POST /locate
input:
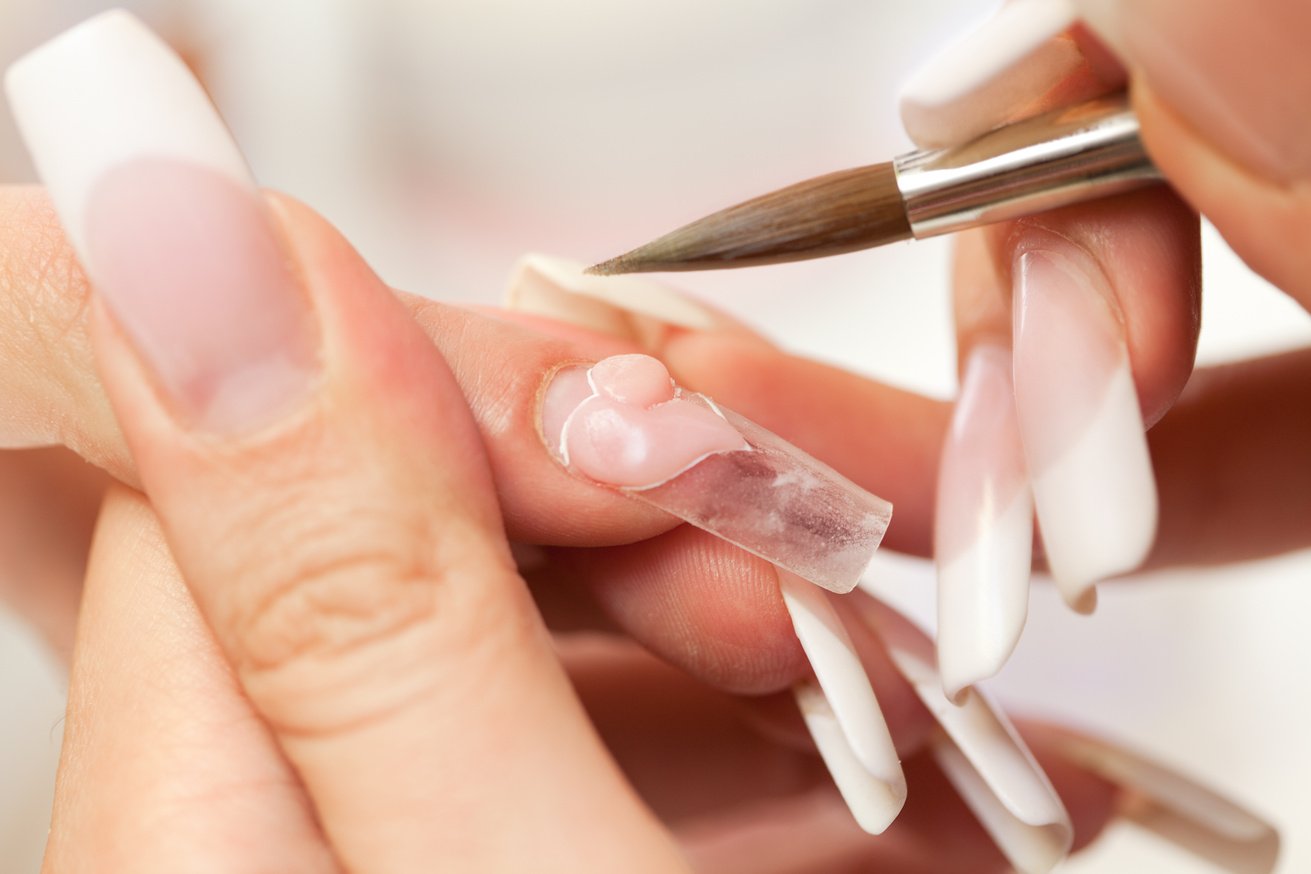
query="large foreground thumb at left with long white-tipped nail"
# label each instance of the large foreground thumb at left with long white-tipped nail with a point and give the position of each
(376, 620)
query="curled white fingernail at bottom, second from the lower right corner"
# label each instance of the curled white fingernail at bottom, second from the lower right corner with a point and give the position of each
(981, 754)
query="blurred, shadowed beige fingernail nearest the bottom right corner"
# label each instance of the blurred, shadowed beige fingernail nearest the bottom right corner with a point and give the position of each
(1178, 808)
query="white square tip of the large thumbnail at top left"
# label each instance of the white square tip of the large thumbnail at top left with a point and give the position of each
(113, 83)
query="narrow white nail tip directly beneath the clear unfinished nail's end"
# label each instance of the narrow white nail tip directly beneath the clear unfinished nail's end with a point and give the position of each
(842, 677)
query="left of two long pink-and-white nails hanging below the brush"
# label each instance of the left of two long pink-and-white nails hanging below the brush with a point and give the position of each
(984, 527)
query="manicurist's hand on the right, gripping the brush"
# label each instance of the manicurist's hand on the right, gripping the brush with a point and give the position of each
(1077, 330)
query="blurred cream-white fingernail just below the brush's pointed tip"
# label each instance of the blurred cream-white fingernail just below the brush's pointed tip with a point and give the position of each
(626, 307)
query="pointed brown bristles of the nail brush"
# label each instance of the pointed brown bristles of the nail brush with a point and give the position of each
(823, 217)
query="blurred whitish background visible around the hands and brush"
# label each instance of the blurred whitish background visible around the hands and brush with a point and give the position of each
(449, 137)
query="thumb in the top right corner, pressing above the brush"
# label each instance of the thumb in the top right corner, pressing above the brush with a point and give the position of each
(1223, 91)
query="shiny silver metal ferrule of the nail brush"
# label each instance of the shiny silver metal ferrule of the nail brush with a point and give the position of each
(1072, 155)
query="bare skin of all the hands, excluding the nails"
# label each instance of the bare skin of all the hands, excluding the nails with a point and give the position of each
(241, 744)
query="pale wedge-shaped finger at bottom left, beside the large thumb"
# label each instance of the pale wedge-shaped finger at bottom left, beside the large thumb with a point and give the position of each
(165, 766)
